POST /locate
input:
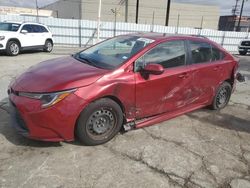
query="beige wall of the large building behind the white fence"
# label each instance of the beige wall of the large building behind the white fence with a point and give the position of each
(190, 14)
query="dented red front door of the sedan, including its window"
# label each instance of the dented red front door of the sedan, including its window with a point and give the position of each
(169, 91)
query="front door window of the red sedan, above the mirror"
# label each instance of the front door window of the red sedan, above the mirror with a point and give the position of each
(168, 54)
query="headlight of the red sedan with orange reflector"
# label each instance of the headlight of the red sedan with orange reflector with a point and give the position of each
(48, 99)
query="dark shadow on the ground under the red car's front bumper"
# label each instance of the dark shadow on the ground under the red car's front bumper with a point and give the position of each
(11, 134)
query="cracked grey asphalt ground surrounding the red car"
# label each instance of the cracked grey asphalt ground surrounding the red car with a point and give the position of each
(201, 149)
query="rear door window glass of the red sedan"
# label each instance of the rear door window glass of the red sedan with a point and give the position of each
(201, 52)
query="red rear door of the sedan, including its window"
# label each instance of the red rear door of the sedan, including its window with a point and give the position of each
(207, 70)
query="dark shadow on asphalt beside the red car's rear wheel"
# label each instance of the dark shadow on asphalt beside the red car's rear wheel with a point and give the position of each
(223, 120)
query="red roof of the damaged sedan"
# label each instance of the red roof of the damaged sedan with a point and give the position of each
(160, 36)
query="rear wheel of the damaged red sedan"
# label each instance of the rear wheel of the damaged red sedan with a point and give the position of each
(222, 96)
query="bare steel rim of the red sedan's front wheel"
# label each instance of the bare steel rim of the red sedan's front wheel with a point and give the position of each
(101, 123)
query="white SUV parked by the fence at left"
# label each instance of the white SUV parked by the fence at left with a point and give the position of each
(17, 36)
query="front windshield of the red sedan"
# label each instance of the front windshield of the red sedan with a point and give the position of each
(113, 52)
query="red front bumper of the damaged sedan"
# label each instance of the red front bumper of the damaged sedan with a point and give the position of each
(56, 123)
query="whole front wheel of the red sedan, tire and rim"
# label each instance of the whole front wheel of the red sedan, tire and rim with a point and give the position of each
(99, 122)
